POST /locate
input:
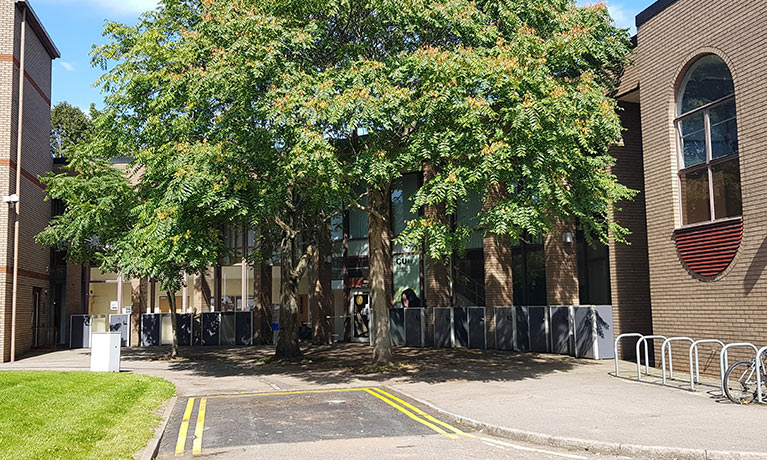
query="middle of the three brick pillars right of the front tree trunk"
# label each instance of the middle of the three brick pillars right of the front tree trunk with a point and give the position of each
(499, 288)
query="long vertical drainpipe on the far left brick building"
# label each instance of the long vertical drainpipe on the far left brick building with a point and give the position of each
(18, 184)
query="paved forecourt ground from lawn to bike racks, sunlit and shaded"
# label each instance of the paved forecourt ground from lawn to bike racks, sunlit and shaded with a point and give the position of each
(564, 405)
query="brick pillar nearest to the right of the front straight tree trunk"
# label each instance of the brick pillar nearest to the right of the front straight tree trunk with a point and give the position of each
(437, 273)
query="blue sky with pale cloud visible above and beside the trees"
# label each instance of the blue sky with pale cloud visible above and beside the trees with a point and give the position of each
(76, 25)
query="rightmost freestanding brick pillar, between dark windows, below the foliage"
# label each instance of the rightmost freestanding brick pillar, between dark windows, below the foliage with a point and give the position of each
(561, 266)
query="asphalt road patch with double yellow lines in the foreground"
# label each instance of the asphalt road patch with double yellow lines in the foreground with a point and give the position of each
(370, 423)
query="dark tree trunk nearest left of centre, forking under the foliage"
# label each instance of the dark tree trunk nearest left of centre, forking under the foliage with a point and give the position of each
(287, 341)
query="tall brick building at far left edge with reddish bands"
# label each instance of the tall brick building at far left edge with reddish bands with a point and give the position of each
(24, 44)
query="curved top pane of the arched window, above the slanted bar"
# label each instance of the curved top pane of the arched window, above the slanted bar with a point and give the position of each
(708, 80)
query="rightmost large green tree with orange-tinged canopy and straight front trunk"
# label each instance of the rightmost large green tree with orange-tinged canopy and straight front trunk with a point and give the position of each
(506, 98)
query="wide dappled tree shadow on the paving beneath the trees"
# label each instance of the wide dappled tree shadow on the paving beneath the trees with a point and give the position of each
(343, 363)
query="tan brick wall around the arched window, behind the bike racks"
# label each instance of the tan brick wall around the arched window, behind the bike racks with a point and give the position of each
(733, 306)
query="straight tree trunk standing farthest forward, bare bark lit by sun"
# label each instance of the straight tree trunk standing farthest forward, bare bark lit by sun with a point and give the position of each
(381, 288)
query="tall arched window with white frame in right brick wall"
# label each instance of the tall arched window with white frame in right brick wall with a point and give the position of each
(707, 133)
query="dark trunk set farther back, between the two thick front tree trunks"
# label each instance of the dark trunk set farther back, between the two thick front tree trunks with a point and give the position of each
(322, 299)
